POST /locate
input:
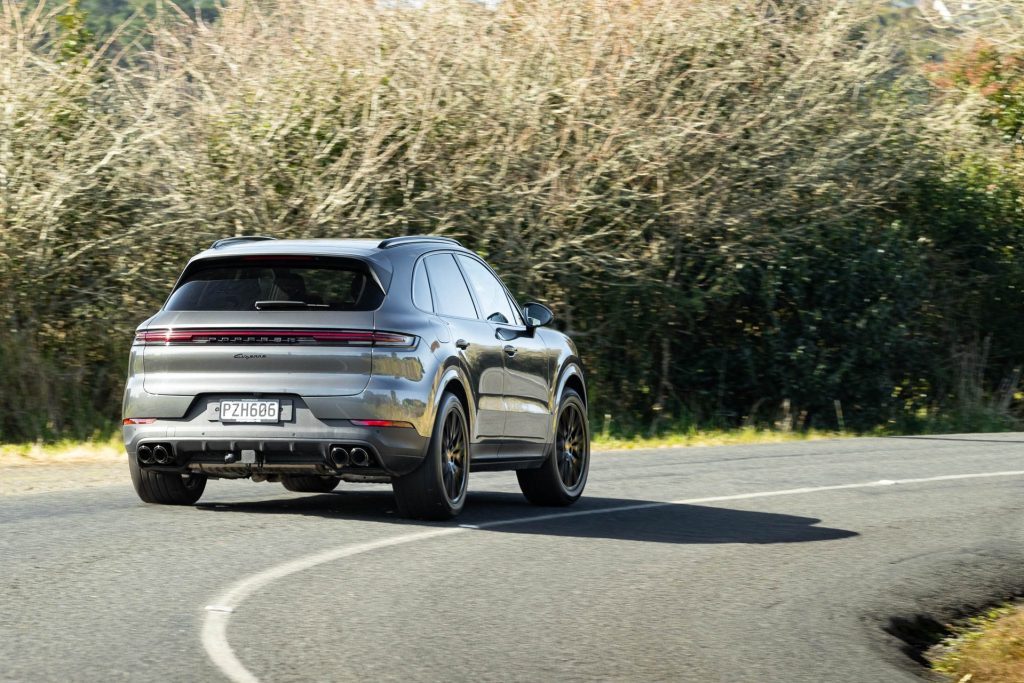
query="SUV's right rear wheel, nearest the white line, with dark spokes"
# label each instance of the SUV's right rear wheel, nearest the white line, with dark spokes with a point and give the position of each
(437, 490)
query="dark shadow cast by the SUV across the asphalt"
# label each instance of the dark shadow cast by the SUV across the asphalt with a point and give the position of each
(619, 520)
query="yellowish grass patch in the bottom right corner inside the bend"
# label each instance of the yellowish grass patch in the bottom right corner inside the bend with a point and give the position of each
(989, 649)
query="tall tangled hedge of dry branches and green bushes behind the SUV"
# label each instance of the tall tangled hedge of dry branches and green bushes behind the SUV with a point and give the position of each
(792, 217)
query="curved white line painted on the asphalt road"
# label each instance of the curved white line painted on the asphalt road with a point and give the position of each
(218, 615)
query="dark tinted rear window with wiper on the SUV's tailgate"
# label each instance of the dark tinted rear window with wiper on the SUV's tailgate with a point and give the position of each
(266, 284)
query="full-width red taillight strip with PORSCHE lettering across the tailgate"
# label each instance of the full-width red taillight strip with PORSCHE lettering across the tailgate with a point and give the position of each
(348, 337)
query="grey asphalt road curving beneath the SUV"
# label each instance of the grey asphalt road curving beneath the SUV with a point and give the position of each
(808, 585)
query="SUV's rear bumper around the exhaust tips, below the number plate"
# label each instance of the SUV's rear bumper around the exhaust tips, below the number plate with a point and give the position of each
(298, 445)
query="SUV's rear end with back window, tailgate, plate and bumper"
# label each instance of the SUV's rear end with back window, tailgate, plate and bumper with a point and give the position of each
(270, 360)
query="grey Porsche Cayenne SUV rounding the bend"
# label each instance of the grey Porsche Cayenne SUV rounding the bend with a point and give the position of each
(404, 361)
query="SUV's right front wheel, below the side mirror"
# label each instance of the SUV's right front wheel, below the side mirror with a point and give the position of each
(561, 481)
